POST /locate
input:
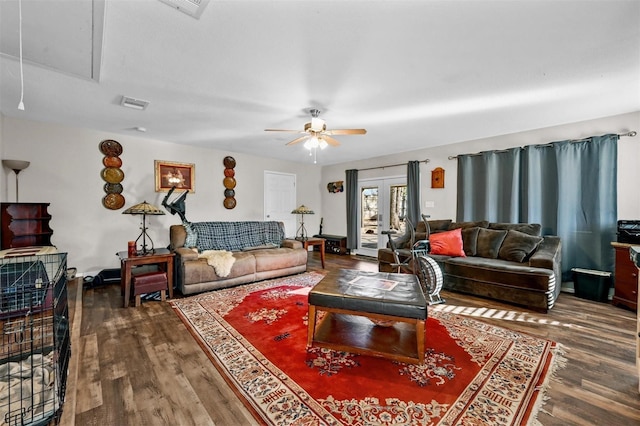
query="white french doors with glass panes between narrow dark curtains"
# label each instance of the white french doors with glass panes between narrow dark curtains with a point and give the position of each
(382, 204)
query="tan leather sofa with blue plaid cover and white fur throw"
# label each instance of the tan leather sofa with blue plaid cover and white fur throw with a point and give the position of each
(256, 259)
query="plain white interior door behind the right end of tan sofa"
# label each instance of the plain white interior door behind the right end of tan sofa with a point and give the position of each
(280, 200)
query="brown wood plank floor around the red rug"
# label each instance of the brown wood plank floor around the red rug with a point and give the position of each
(140, 366)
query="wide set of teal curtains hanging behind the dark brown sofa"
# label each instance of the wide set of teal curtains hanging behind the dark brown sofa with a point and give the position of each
(568, 187)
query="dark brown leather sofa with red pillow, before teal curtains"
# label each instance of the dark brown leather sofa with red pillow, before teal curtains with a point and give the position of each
(533, 281)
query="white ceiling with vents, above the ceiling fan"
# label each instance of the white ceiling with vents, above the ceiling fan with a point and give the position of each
(415, 74)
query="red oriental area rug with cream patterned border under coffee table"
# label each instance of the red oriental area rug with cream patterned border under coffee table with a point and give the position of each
(474, 373)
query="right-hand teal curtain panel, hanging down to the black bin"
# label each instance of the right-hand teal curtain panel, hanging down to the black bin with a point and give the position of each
(570, 188)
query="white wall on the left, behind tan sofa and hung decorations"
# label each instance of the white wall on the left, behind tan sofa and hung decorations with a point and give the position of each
(65, 171)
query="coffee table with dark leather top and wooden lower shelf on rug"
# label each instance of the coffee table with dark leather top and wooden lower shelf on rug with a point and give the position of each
(373, 313)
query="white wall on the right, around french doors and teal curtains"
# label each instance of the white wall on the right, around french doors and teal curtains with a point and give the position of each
(334, 205)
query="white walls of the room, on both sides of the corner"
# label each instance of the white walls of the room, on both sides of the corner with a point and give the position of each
(66, 164)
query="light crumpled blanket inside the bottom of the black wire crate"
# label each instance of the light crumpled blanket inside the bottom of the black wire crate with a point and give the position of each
(27, 385)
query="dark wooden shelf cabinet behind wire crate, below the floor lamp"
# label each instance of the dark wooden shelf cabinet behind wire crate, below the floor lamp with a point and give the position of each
(25, 224)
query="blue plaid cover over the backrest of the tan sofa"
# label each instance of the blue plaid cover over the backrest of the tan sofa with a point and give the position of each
(234, 236)
